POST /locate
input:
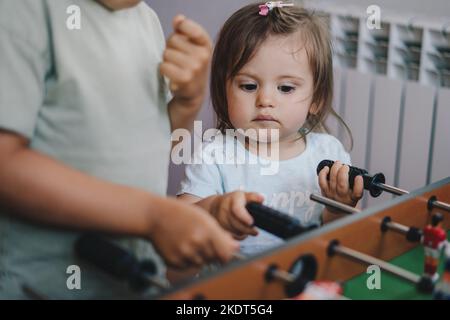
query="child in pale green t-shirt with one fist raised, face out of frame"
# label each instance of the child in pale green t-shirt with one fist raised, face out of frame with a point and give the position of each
(85, 139)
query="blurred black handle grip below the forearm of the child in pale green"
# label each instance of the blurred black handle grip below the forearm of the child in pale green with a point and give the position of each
(115, 260)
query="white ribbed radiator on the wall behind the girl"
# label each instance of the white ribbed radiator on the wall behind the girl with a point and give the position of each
(392, 89)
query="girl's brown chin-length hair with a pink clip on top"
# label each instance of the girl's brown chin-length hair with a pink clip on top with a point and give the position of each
(246, 30)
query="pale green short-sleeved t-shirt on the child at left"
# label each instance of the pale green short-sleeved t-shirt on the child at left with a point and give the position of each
(92, 99)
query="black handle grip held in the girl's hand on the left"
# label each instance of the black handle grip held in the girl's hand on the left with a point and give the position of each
(276, 222)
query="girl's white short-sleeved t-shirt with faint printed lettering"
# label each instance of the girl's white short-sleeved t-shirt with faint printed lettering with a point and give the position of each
(287, 188)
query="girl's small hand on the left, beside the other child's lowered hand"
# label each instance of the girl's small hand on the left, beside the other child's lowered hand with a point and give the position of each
(229, 210)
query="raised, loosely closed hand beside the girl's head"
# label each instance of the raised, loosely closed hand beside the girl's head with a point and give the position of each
(186, 59)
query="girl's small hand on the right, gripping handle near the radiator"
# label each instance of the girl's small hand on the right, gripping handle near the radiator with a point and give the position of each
(337, 187)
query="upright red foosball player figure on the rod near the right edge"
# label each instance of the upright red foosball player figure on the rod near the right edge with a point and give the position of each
(434, 238)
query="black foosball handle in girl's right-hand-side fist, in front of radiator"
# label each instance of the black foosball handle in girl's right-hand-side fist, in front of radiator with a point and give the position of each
(370, 182)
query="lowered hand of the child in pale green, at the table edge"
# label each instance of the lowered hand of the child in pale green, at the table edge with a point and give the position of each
(187, 236)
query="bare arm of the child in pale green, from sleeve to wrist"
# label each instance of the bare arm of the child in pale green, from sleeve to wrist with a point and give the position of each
(38, 187)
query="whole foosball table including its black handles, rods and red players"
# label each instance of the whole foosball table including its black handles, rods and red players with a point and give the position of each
(377, 253)
